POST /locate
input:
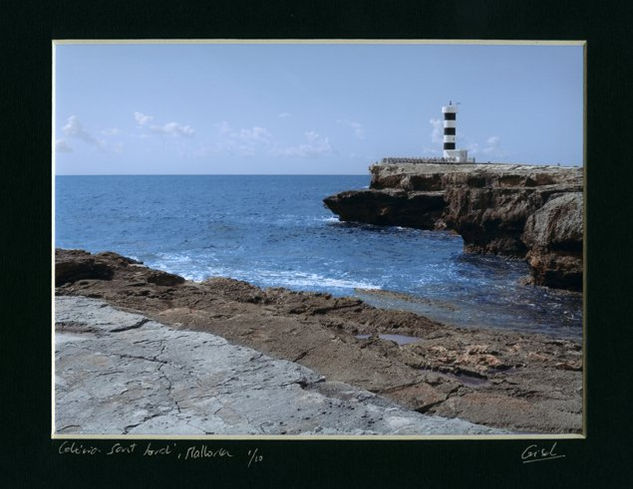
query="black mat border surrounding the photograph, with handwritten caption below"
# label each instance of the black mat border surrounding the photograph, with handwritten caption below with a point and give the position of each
(29, 457)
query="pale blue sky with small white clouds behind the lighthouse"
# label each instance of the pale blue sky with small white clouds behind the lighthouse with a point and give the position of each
(309, 108)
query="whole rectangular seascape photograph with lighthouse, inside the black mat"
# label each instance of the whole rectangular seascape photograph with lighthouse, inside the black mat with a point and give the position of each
(318, 239)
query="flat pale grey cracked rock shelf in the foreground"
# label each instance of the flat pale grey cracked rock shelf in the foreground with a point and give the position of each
(121, 373)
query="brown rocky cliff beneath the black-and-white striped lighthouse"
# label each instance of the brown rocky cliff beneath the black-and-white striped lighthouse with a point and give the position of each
(527, 211)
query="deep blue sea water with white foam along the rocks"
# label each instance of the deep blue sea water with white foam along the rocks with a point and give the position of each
(275, 231)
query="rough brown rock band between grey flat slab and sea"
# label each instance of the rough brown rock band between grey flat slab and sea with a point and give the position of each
(514, 381)
